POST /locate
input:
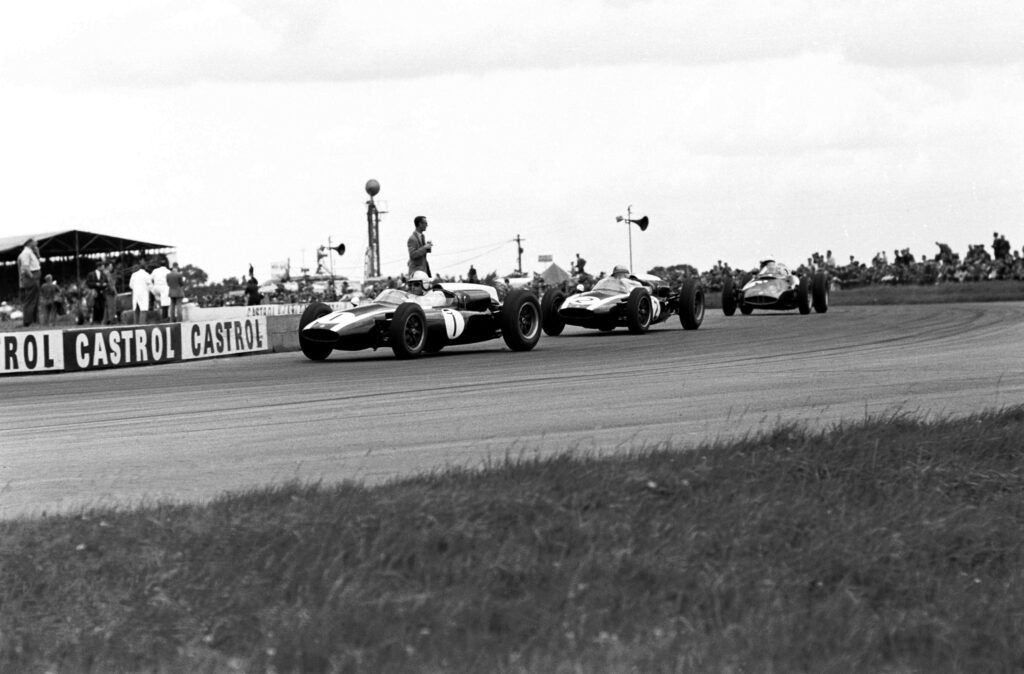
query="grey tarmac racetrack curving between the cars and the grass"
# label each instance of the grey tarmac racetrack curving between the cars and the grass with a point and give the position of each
(193, 431)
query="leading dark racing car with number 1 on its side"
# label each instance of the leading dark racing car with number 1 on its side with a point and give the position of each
(412, 324)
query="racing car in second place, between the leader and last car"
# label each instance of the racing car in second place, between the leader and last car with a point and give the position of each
(636, 302)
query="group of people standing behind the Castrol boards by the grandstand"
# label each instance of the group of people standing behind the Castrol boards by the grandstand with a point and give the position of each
(44, 301)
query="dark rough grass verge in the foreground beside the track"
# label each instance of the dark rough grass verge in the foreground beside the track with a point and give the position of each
(890, 545)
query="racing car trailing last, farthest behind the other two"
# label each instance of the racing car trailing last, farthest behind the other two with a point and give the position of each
(775, 287)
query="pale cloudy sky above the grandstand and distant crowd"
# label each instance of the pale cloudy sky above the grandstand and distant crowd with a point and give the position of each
(244, 132)
